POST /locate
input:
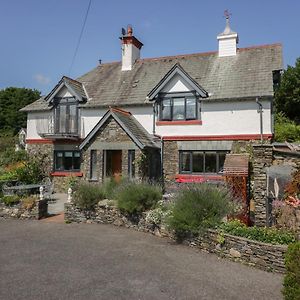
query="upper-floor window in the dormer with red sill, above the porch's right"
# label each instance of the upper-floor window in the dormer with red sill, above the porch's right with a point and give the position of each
(178, 109)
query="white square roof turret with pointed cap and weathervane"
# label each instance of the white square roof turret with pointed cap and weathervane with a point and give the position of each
(228, 40)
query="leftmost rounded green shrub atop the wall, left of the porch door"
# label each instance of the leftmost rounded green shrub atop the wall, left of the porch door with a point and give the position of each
(87, 195)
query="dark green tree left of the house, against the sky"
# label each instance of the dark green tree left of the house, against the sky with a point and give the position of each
(12, 99)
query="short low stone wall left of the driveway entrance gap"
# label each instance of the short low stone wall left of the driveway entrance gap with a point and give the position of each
(19, 211)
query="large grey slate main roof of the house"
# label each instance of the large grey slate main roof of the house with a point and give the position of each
(246, 75)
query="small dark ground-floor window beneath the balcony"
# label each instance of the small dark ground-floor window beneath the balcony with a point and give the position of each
(67, 160)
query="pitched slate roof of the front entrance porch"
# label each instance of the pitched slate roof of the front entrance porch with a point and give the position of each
(129, 124)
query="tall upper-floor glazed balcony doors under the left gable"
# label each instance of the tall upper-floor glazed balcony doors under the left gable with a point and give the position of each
(66, 114)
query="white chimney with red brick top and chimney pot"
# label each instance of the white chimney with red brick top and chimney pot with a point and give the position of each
(131, 48)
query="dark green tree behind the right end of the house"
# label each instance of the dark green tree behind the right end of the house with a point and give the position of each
(287, 95)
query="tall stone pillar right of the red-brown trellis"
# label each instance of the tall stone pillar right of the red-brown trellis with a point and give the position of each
(262, 158)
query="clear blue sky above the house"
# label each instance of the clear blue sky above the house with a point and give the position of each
(38, 37)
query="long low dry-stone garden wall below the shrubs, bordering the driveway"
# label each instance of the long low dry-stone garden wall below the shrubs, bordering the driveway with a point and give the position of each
(264, 256)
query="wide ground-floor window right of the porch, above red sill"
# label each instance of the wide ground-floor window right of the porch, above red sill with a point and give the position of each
(201, 161)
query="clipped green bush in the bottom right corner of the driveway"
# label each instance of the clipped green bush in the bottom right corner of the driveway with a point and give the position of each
(291, 284)
